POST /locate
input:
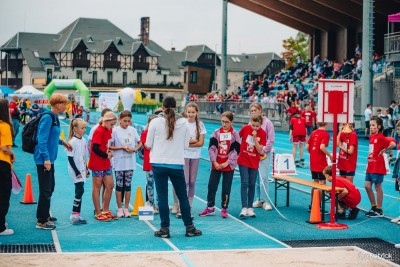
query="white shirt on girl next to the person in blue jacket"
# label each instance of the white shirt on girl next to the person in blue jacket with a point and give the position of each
(79, 153)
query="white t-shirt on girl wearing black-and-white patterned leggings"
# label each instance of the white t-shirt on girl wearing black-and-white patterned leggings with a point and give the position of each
(122, 160)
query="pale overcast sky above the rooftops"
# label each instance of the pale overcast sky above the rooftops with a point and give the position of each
(173, 23)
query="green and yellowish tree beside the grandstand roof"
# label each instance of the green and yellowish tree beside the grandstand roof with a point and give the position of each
(295, 47)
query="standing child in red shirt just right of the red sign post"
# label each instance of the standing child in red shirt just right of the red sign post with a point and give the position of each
(348, 144)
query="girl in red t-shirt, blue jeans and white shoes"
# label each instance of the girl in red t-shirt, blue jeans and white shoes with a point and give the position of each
(254, 138)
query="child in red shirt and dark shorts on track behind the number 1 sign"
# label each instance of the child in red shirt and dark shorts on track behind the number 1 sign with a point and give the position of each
(297, 135)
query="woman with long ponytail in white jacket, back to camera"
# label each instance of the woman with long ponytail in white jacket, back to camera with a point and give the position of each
(167, 137)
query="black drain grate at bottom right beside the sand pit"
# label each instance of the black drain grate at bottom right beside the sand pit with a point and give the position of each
(377, 247)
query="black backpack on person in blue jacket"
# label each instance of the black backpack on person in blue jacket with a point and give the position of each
(29, 133)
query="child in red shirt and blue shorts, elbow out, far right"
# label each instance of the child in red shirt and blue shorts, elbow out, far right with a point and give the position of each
(376, 168)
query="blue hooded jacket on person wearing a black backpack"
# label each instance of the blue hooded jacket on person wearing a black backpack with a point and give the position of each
(48, 139)
